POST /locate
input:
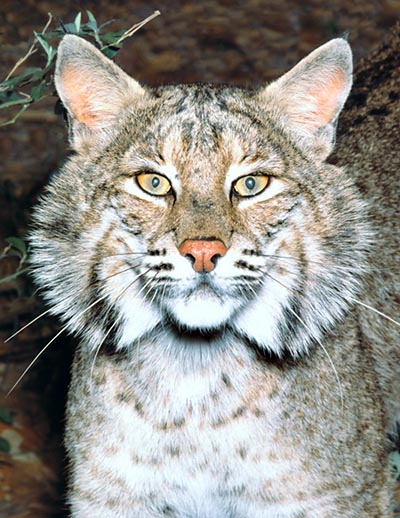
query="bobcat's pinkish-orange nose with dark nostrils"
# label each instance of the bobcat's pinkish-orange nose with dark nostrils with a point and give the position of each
(203, 253)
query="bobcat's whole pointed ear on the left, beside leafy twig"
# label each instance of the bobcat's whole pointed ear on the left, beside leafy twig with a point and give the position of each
(93, 89)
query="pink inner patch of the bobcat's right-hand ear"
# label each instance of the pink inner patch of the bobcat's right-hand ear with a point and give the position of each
(326, 99)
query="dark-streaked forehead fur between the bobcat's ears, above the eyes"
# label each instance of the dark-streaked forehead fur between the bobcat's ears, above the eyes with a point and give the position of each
(205, 123)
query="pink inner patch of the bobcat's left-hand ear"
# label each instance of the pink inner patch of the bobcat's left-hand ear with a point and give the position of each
(80, 92)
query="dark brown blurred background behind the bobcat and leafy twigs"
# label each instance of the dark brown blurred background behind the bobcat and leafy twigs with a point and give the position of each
(244, 43)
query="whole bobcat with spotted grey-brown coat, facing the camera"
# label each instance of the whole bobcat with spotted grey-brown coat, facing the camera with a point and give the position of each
(219, 273)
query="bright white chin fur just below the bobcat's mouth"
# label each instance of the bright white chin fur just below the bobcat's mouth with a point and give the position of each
(201, 312)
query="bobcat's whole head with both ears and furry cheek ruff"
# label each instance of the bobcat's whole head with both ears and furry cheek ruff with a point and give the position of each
(201, 209)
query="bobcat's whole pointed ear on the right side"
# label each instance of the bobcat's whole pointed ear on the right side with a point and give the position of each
(309, 98)
